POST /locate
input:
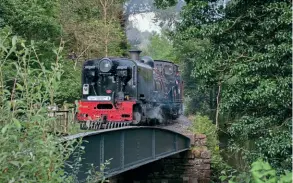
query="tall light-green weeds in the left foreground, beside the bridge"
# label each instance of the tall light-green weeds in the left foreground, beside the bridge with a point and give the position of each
(30, 150)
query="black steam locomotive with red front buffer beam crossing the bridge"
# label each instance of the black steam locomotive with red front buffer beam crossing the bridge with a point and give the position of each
(119, 92)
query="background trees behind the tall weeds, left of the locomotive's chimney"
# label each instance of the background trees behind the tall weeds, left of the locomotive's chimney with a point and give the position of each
(86, 27)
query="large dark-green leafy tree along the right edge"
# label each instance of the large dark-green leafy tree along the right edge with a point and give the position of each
(258, 89)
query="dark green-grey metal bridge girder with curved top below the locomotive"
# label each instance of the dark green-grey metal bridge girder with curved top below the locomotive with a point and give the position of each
(128, 148)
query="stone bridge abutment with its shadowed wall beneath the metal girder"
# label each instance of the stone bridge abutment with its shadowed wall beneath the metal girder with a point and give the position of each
(192, 166)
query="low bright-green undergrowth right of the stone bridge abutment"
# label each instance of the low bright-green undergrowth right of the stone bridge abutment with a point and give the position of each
(259, 171)
